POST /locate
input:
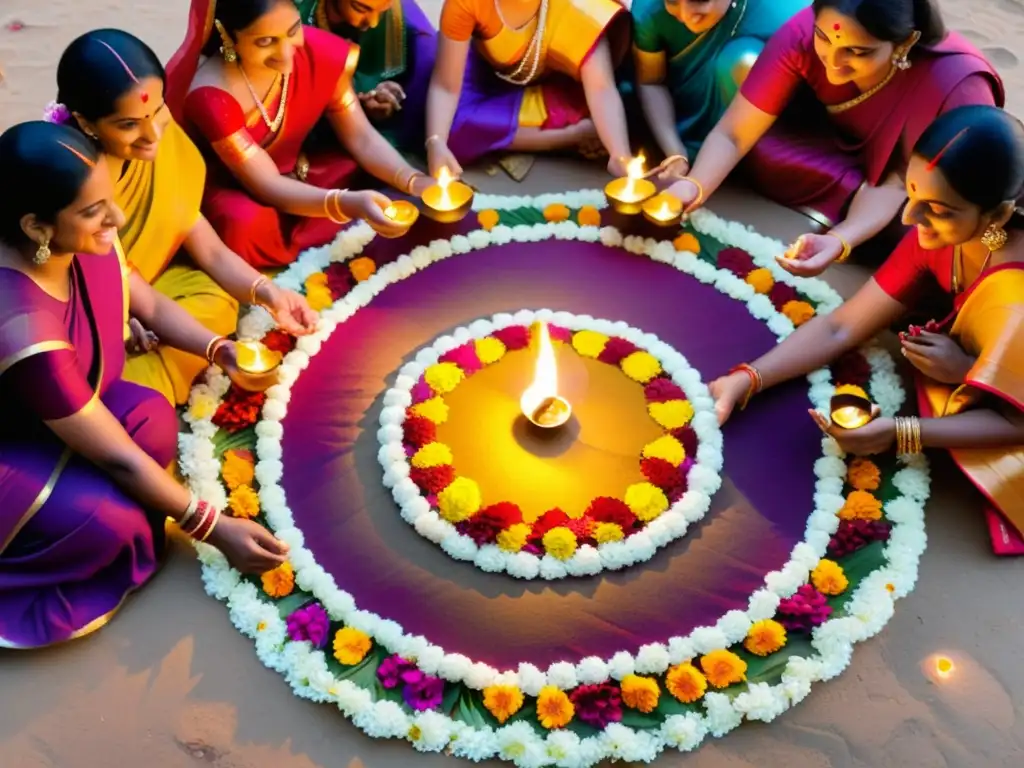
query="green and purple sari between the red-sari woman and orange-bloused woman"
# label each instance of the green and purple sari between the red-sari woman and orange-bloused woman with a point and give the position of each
(401, 49)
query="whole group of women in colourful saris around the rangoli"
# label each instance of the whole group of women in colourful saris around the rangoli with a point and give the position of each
(138, 217)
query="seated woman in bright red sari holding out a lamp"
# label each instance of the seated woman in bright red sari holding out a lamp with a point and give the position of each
(253, 106)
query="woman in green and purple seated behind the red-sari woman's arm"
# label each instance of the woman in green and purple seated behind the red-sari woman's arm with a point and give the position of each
(398, 47)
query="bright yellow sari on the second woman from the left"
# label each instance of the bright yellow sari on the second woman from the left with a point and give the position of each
(161, 201)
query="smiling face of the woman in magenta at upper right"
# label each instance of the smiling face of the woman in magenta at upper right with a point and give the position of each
(848, 52)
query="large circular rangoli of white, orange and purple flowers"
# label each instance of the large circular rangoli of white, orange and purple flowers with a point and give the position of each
(801, 554)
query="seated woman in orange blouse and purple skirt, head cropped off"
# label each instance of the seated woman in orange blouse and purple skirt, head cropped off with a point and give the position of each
(540, 77)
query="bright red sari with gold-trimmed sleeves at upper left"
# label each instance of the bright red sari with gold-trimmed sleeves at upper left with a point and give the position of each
(321, 82)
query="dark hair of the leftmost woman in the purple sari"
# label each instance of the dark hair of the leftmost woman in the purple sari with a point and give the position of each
(42, 177)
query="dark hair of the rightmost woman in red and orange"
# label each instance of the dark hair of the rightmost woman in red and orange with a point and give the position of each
(980, 151)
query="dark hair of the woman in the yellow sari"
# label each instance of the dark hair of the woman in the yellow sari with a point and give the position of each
(100, 68)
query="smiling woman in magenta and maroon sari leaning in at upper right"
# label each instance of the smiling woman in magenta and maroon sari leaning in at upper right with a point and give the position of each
(881, 71)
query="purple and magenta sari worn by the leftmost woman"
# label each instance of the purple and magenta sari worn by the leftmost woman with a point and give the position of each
(73, 546)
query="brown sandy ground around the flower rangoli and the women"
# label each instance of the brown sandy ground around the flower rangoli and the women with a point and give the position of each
(172, 685)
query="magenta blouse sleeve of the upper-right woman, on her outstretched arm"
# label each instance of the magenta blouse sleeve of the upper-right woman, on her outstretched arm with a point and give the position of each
(779, 72)
